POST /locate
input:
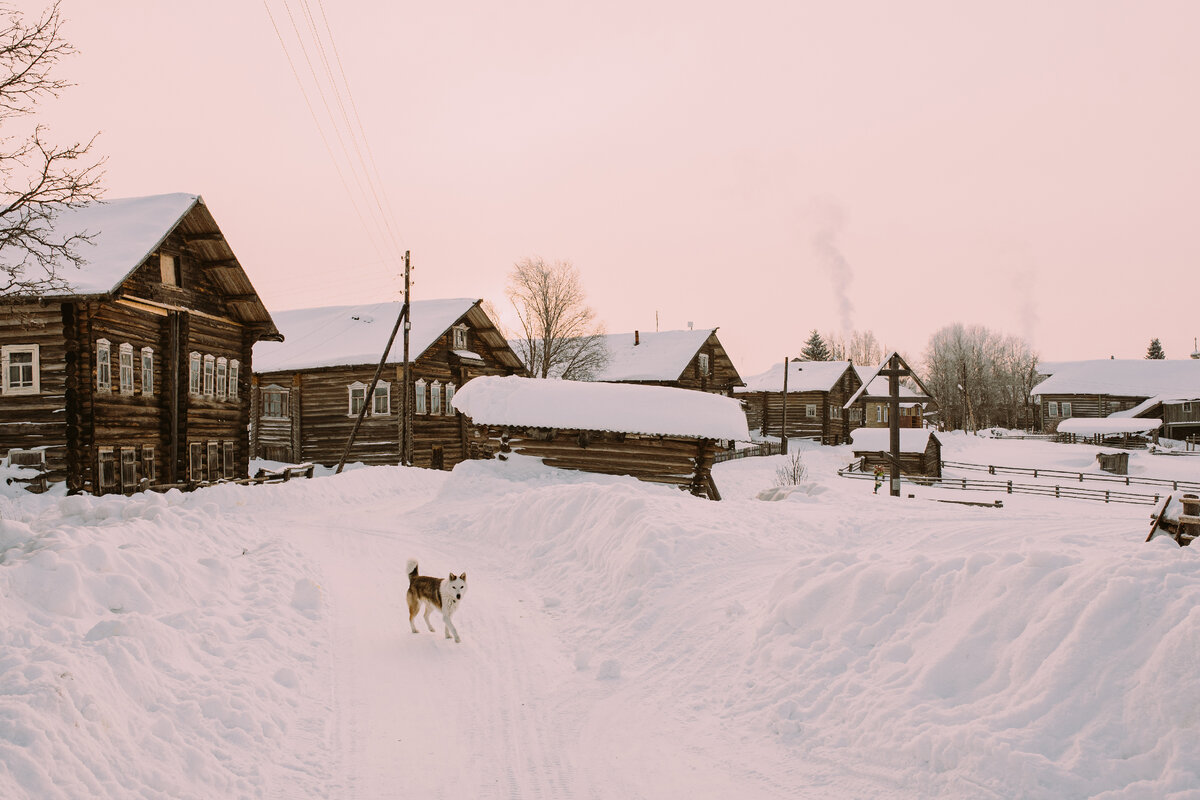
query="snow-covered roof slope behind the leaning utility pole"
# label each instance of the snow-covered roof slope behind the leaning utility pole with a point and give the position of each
(334, 336)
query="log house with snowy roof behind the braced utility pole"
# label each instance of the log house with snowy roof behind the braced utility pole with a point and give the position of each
(308, 390)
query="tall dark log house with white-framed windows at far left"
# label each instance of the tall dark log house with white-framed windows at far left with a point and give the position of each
(136, 375)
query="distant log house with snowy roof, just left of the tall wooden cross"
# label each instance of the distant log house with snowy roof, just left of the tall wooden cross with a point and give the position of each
(817, 393)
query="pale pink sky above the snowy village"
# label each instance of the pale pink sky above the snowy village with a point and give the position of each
(1027, 166)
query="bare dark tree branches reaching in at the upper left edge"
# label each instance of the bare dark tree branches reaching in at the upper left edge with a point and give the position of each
(40, 179)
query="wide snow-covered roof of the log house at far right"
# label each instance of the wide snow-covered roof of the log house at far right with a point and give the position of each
(1124, 378)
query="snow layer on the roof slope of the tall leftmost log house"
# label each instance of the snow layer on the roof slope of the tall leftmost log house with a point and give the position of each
(124, 232)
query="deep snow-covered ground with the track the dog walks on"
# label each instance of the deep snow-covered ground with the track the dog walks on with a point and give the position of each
(620, 640)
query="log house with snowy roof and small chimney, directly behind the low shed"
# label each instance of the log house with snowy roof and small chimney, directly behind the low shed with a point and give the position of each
(692, 359)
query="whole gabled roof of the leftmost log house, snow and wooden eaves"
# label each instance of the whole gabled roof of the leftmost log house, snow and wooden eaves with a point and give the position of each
(125, 232)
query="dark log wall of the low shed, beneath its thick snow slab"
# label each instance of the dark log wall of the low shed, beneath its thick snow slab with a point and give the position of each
(681, 462)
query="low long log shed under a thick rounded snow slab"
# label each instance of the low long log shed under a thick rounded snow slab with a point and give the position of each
(662, 435)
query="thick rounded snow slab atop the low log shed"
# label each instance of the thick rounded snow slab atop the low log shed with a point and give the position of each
(595, 406)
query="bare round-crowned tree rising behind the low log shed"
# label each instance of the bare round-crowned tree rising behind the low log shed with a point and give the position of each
(560, 335)
